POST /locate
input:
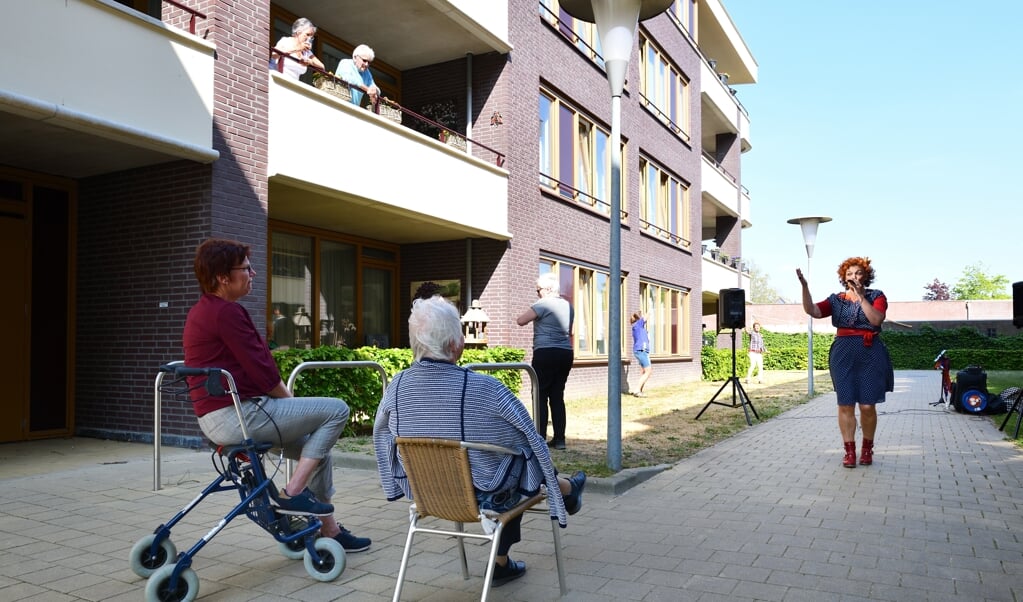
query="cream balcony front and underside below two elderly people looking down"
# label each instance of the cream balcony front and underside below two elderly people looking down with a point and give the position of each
(336, 166)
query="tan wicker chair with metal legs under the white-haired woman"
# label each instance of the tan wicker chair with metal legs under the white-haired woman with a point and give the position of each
(442, 488)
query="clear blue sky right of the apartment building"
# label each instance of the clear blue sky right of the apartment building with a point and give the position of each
(903, 120)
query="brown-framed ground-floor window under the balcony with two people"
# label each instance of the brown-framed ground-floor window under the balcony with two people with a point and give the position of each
(354, 284)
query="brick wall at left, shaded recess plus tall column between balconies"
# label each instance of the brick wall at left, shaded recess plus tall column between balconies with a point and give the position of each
(125, 274)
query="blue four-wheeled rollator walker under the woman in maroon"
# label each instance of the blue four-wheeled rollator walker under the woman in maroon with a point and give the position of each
(241, 468)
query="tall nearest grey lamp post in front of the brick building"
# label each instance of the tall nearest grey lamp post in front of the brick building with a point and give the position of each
(616, 25)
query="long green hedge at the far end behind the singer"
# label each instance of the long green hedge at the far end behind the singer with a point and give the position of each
(910, 351)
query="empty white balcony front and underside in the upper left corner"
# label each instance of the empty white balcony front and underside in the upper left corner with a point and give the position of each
(94, 96)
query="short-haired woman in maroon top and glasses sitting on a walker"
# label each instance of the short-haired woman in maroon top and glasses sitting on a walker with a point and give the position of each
(219, 333)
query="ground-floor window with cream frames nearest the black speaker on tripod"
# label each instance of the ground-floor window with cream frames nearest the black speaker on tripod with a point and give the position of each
(668, 315)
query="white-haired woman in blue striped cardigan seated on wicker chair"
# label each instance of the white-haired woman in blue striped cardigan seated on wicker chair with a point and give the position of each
(437, 399)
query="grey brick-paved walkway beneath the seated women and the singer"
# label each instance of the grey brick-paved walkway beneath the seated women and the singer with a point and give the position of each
(770, 514)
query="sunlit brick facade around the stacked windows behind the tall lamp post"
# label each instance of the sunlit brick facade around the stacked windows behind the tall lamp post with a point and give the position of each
(547, 226)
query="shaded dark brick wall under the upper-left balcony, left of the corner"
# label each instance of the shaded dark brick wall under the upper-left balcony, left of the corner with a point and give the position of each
(124, 277)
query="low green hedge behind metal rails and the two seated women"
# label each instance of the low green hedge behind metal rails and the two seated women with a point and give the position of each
(361, 389)
